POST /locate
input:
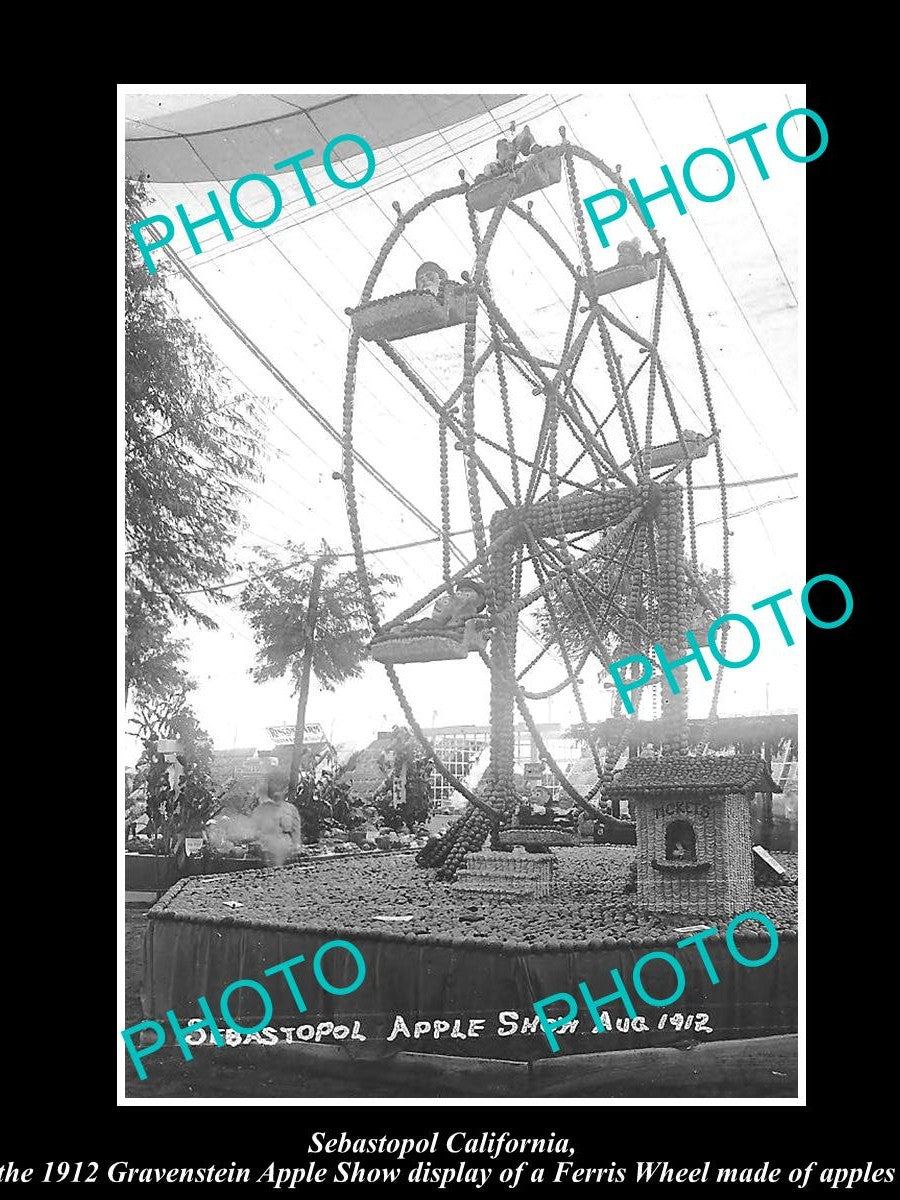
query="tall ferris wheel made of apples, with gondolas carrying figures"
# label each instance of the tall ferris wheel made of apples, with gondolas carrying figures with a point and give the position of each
(578, 461)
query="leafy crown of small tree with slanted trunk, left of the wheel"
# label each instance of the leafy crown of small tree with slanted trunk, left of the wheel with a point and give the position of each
(275, 603)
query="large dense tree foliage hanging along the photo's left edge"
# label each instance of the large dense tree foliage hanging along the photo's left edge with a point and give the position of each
(191, 442)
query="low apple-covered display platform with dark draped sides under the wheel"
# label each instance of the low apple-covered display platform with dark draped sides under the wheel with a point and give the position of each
(454, 975)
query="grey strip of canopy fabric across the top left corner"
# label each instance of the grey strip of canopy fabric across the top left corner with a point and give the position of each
(193, 139)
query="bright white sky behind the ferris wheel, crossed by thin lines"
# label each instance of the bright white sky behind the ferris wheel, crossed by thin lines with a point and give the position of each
(289, 287)
